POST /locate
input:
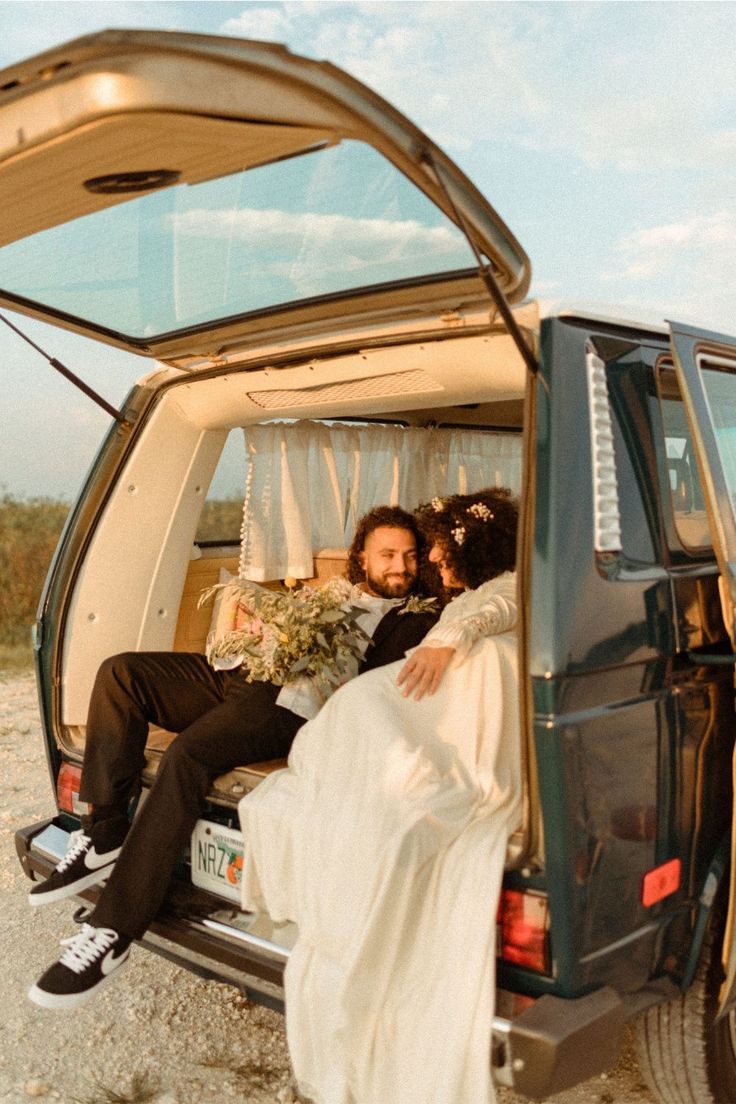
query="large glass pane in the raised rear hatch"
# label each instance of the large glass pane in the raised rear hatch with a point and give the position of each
(317, 225)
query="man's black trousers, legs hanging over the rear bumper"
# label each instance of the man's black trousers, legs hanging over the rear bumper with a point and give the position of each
(222, 723)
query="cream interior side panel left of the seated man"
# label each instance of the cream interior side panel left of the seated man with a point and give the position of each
(130, 588)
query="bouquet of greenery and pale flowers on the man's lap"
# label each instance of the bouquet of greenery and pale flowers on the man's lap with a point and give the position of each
(283, 635)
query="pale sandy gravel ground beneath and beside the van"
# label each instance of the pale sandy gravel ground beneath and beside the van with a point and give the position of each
(159, 1028)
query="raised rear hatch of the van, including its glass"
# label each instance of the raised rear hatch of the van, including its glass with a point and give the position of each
(161, 190)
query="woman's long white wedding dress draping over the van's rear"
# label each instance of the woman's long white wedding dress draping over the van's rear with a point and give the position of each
(385, 841)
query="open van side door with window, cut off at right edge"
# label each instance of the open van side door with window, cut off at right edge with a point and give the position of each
(706, 365)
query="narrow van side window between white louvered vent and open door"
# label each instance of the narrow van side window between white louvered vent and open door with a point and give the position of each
(684, 477)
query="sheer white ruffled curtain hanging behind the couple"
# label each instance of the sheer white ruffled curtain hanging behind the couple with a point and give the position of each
(308, 484)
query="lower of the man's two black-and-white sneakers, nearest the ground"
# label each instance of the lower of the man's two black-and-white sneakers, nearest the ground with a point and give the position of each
(93, 957)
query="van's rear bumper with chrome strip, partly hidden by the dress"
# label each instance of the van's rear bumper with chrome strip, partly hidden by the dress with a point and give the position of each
(552, 1045)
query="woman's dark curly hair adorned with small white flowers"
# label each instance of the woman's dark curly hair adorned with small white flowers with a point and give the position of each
(476, 533)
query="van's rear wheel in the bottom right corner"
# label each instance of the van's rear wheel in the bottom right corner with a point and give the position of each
(686, 1057)
